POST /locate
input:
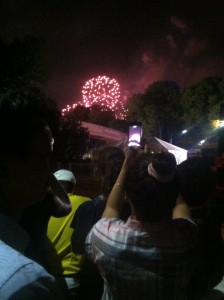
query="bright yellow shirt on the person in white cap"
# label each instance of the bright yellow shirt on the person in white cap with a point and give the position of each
(61, 259)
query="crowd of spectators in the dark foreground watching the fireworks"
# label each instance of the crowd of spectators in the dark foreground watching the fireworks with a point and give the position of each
(156, 231)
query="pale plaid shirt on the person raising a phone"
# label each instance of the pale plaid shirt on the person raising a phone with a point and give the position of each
(143, 260)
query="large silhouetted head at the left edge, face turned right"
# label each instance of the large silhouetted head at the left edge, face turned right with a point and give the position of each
(27, 122)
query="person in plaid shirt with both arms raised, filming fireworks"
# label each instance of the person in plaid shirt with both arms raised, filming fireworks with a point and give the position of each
(152, 255)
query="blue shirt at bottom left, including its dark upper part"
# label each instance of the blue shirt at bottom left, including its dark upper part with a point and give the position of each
(20, 277)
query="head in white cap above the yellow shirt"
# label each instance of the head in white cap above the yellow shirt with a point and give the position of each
(66, 179)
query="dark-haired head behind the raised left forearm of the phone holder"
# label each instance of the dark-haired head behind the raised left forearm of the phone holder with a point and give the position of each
(108, 161)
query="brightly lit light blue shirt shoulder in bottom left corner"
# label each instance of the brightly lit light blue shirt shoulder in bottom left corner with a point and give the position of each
(19, 274)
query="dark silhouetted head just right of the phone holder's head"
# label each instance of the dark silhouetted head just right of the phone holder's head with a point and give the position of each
(197, 181)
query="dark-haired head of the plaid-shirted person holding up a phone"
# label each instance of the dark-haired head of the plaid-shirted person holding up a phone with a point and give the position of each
(152, 186)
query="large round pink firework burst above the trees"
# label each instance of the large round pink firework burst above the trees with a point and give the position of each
(104, 92)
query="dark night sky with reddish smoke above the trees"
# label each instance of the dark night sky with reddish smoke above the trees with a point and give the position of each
(135, 42)
